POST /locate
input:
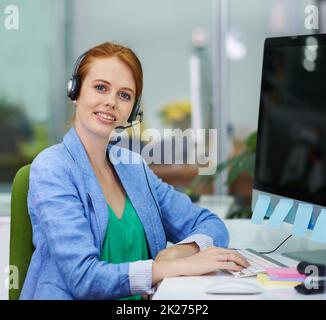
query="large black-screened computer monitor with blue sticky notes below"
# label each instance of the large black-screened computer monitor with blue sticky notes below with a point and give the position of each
(291, 138)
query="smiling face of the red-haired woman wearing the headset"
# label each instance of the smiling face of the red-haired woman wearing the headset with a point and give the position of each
(106, 98)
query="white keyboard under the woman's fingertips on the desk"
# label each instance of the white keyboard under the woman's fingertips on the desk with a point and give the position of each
(258, 263)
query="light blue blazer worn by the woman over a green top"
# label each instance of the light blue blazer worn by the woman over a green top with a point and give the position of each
(69, 217)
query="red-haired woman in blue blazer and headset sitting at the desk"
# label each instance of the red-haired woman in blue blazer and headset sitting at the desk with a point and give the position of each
(100, 228)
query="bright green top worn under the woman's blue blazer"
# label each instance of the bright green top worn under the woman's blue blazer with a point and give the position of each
(125, 239)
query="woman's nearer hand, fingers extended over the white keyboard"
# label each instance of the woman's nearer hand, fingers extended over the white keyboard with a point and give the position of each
(206, 261)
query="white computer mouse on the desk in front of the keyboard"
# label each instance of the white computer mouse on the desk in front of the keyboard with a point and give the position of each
(234, 287)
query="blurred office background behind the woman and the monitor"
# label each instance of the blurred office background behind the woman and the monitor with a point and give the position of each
(224, 38)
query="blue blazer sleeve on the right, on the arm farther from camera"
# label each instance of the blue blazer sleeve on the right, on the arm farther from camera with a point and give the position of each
(181, 218)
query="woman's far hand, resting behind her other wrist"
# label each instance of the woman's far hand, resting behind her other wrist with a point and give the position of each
(177, 251)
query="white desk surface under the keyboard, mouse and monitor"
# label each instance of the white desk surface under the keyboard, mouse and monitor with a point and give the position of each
(243, 234)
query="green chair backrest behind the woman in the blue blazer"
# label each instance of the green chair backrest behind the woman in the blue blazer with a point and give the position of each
(21, 245)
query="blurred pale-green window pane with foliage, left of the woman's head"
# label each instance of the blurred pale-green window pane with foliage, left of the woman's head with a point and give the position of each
(29, 82)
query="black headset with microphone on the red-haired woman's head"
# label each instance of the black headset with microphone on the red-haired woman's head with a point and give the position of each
(73, 88)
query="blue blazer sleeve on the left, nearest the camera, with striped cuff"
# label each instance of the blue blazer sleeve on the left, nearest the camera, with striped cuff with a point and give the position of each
(54, 199)
